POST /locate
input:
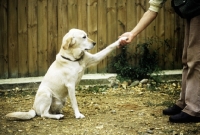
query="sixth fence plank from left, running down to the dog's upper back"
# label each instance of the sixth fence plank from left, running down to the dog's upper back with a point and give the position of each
(52, 31)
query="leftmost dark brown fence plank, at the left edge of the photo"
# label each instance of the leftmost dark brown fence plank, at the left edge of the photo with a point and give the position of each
(3, 39)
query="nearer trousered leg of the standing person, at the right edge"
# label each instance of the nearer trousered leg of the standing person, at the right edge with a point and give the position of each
(192, 92)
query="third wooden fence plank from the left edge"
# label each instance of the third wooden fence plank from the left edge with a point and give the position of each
(22, 38)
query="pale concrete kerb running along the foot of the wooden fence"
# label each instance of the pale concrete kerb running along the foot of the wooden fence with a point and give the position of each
(87, 79)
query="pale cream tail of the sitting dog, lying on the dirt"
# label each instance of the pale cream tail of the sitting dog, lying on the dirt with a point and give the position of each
(21, 115)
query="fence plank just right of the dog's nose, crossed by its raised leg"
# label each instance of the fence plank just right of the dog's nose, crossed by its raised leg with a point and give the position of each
(102, 30)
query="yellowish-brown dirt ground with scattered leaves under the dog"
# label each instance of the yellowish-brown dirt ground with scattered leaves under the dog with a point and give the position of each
(111, 111)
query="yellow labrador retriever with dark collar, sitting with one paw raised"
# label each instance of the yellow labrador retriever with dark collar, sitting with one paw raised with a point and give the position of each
(63, 75)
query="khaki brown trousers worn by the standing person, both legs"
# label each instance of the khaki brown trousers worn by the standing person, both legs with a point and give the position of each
(190, 94)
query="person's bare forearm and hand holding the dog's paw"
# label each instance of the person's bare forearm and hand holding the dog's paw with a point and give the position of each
(146, 19)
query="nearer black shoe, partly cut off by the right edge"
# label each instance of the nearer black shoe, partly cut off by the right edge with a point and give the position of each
(183, 118)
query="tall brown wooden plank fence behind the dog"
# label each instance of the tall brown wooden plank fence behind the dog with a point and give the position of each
(31, 31)
